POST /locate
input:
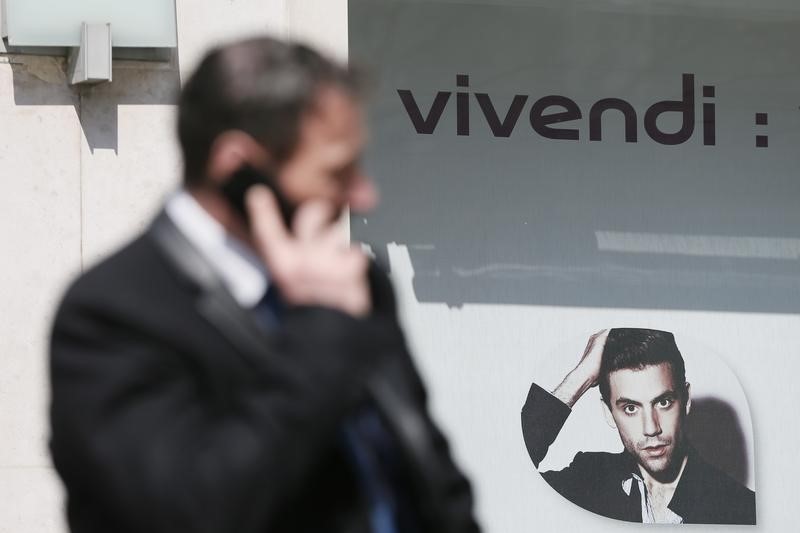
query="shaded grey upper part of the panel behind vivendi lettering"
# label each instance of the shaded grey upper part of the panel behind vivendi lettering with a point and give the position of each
(667, 159)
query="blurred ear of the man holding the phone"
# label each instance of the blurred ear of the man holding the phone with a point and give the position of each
(230, 151)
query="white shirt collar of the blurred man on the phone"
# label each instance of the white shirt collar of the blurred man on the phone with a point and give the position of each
(240, 270)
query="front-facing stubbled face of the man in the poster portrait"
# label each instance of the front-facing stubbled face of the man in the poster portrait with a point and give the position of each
(649, 409)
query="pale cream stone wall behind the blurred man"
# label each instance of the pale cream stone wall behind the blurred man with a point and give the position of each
(82, 170)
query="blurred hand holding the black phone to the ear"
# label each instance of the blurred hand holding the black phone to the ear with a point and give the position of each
(313, 265)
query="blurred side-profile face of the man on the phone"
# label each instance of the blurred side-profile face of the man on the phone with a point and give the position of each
(327, 162)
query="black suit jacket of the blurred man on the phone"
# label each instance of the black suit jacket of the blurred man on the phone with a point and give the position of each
(173, 412)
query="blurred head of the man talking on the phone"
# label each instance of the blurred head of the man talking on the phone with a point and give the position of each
(282, 109)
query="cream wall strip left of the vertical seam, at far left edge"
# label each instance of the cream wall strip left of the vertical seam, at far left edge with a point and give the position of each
(40, 243)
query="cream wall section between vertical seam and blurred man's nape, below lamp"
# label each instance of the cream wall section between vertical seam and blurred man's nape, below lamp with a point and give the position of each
(125, 180)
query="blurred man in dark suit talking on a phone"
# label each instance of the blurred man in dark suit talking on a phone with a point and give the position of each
(225, 372)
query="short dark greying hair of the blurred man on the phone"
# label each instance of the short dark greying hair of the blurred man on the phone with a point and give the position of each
(260, 86)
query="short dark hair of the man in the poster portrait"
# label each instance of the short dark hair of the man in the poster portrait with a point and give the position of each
(636, 348)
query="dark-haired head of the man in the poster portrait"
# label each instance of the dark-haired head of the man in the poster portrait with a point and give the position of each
(643, 383)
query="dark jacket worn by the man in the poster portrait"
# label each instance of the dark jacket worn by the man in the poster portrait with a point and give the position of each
(593, 480)
